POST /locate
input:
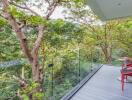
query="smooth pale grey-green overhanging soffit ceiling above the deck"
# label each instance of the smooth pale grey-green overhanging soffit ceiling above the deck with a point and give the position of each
(111, 9)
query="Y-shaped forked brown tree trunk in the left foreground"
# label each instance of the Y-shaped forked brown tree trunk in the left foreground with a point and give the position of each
(32, 56)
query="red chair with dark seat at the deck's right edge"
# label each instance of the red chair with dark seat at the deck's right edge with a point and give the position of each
(126, 71)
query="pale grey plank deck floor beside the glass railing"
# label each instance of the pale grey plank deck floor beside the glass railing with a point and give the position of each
(104, 86)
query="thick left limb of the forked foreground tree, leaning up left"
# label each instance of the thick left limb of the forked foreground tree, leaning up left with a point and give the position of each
(20, 35)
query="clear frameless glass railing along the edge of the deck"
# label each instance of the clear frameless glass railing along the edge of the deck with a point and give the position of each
(63, 73)
